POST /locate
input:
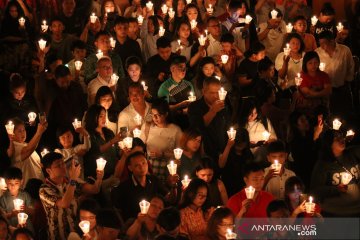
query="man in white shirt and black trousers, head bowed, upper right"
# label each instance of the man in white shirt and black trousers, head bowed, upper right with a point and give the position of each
(340, 67)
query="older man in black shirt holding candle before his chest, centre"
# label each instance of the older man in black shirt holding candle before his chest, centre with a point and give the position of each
(212, 117)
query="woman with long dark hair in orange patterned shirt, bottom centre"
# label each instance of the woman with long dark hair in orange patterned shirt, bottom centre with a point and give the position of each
(194, 212)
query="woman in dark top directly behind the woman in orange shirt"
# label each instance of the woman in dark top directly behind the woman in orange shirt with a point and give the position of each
(217, 195)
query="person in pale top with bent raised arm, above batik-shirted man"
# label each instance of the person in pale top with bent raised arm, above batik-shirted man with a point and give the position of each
(66, 140)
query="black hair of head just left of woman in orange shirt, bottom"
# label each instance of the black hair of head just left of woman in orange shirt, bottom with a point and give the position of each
(169, 219)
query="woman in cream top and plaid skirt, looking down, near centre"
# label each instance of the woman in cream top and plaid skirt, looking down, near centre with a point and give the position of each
(161, 137)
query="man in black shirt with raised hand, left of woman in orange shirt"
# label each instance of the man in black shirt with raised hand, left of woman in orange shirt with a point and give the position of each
(141, 185)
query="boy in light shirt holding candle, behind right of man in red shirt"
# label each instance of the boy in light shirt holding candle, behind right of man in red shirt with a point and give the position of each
(275, 181)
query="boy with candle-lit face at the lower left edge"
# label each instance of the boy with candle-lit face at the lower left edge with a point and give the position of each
(14, 180)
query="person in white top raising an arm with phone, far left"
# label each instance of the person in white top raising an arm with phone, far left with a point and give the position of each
(23, 155)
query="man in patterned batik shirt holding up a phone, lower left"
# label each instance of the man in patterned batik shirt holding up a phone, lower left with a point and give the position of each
(59, 194)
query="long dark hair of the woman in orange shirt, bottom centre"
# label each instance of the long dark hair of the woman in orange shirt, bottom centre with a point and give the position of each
(191, 191)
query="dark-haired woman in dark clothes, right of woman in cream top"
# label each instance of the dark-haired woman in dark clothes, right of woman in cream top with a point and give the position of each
(190, 142)
